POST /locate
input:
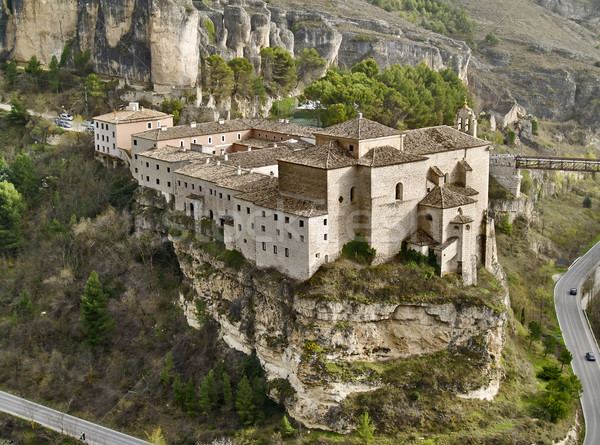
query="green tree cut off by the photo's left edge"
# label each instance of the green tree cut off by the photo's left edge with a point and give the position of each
(11, 208)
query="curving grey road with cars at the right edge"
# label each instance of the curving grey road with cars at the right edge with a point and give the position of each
(579, 339)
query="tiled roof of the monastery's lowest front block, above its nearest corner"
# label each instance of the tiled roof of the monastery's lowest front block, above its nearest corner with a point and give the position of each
(271, 198)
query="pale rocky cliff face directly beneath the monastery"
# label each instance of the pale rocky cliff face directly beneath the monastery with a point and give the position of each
(303, 342)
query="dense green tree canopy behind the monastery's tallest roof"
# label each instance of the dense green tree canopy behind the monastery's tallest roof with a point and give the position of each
(400, 96)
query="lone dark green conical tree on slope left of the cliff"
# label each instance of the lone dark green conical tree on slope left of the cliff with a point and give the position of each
(97, 322)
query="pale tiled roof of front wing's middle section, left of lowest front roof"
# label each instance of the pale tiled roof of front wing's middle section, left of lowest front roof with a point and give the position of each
(225, 176)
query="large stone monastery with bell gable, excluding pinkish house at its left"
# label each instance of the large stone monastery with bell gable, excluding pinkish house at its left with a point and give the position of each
(293, 205)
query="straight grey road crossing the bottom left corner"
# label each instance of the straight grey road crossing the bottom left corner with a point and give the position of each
(64, 423)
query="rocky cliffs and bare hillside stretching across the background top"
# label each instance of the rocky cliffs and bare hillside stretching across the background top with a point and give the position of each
(161, 41)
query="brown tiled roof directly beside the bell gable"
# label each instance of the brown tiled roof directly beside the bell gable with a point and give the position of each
(439, 139)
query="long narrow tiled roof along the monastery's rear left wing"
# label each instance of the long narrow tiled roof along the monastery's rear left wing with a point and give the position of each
(210, 128)
